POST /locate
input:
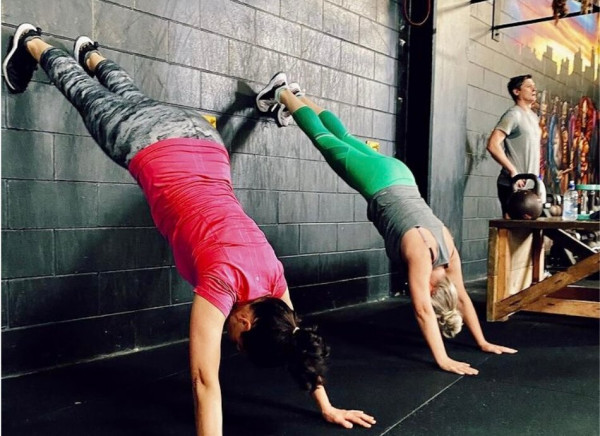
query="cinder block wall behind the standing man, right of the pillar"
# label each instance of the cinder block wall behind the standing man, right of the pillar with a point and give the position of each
(490, 65)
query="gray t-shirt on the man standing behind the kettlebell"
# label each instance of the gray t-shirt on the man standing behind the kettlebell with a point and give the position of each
(522, 142)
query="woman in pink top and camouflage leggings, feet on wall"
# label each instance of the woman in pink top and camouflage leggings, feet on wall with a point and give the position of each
(181, 164)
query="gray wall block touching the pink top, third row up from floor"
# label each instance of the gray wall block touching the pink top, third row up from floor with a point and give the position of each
(88, 250)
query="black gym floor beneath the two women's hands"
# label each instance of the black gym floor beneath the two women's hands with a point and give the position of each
(379, 363)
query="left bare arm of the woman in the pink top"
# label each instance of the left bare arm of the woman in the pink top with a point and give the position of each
(206, 328)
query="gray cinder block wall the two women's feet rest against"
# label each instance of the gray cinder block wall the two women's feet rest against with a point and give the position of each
(84, 272)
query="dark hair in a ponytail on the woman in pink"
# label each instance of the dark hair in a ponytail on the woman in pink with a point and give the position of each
(275, 340)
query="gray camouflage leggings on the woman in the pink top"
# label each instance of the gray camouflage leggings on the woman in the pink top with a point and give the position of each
(119, 117)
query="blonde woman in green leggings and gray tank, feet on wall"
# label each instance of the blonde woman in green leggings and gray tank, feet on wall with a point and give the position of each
(413, 234)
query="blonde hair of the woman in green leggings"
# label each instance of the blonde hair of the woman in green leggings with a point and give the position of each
(445, 305)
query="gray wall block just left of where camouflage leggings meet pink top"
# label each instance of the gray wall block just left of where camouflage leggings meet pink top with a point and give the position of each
(79, 158)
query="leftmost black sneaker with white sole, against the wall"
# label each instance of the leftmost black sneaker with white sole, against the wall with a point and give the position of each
(19, 65)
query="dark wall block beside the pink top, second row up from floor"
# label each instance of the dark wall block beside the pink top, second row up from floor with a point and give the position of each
(123, 291)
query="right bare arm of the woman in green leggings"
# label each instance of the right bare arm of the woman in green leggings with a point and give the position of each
(465, 305)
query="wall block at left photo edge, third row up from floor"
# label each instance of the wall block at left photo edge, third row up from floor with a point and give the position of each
(27, 253)
